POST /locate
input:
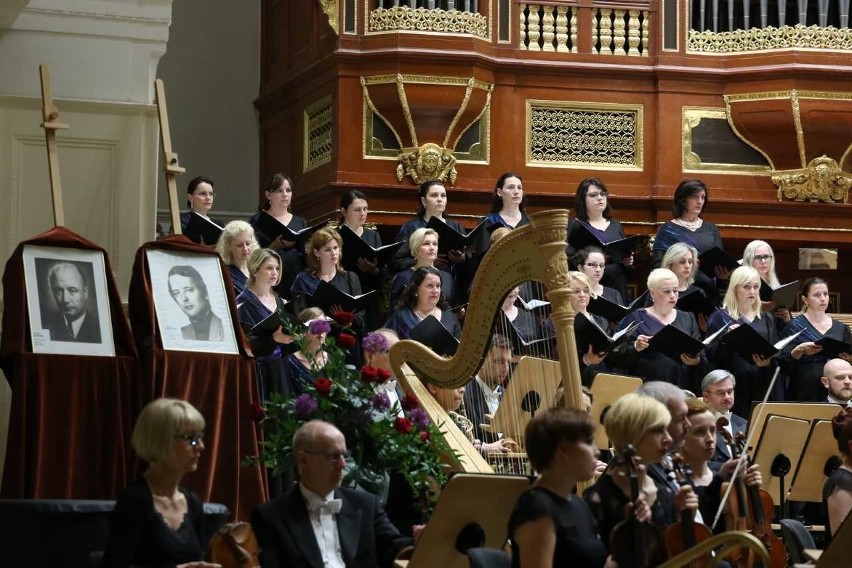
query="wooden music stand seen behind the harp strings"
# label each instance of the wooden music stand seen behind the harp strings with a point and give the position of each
(532, 389)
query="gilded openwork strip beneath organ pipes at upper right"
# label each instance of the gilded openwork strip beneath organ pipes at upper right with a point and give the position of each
(763, 39)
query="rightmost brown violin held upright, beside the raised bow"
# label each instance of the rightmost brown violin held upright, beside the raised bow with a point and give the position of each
(750, 508)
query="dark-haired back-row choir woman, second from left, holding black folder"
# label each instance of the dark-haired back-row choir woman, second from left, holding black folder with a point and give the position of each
(279, 197)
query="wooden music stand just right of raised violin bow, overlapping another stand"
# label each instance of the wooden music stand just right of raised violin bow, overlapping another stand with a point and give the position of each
(781, 435)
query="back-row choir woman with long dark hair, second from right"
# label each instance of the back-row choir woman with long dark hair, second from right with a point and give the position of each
(592, 209)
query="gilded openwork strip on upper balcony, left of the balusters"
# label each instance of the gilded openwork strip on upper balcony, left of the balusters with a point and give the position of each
(403, 18)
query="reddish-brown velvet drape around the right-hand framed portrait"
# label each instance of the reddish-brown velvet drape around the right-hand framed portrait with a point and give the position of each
(221, 386)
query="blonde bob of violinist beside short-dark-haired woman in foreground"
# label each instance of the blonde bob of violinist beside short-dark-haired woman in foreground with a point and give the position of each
(631, 417)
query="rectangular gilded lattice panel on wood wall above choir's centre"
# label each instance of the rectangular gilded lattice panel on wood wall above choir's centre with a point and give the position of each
(569, 134)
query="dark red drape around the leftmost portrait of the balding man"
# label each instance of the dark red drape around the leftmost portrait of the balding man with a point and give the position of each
(69, 430)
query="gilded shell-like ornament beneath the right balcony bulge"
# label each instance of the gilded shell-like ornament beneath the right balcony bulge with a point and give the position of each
(822, 180)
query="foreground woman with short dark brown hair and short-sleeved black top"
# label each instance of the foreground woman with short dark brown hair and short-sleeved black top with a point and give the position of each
(551, 525)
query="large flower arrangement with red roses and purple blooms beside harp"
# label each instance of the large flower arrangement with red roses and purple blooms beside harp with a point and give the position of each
(379, 438)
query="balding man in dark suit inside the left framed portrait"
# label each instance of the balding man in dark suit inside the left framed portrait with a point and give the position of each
(73, 321)
